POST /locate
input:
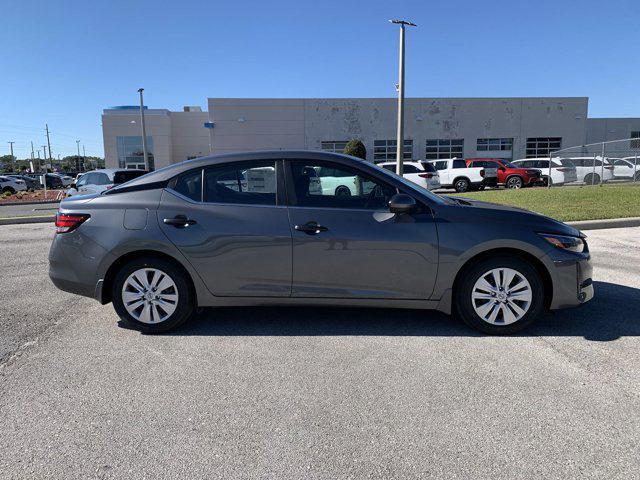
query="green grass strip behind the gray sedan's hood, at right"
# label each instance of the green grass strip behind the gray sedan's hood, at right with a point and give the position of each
(570, 203)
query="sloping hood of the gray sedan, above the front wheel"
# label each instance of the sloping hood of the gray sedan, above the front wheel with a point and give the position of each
(505, 213)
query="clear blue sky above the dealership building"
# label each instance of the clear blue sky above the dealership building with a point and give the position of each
(63, 62)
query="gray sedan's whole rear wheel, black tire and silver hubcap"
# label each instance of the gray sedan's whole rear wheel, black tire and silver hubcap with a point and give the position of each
(152, 295)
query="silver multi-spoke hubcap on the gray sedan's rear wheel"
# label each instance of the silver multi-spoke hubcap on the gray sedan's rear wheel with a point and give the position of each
(150, 295)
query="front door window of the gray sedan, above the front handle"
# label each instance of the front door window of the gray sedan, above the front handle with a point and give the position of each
(337, 186)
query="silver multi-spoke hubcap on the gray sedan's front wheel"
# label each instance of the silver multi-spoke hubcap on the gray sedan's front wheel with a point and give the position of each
(501, 296)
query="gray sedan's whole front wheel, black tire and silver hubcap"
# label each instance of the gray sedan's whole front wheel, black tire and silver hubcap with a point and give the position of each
(500, 295)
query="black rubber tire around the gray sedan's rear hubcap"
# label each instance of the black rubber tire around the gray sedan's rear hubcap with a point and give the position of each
(185, 303)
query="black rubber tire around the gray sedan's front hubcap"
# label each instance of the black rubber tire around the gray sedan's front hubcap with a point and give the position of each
(464, 305)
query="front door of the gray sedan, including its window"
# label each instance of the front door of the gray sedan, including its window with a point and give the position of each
(348, 245)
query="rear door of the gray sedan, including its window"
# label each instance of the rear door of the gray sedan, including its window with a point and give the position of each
(230, 223)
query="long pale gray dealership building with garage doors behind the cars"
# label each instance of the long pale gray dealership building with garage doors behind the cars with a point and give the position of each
(508, 128)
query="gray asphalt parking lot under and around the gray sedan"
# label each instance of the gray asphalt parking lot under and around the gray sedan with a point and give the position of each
(316, 393)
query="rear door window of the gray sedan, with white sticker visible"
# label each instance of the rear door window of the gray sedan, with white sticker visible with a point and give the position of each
(241, 183)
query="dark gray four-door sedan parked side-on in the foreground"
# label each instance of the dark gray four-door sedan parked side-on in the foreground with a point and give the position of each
(277, 228)
